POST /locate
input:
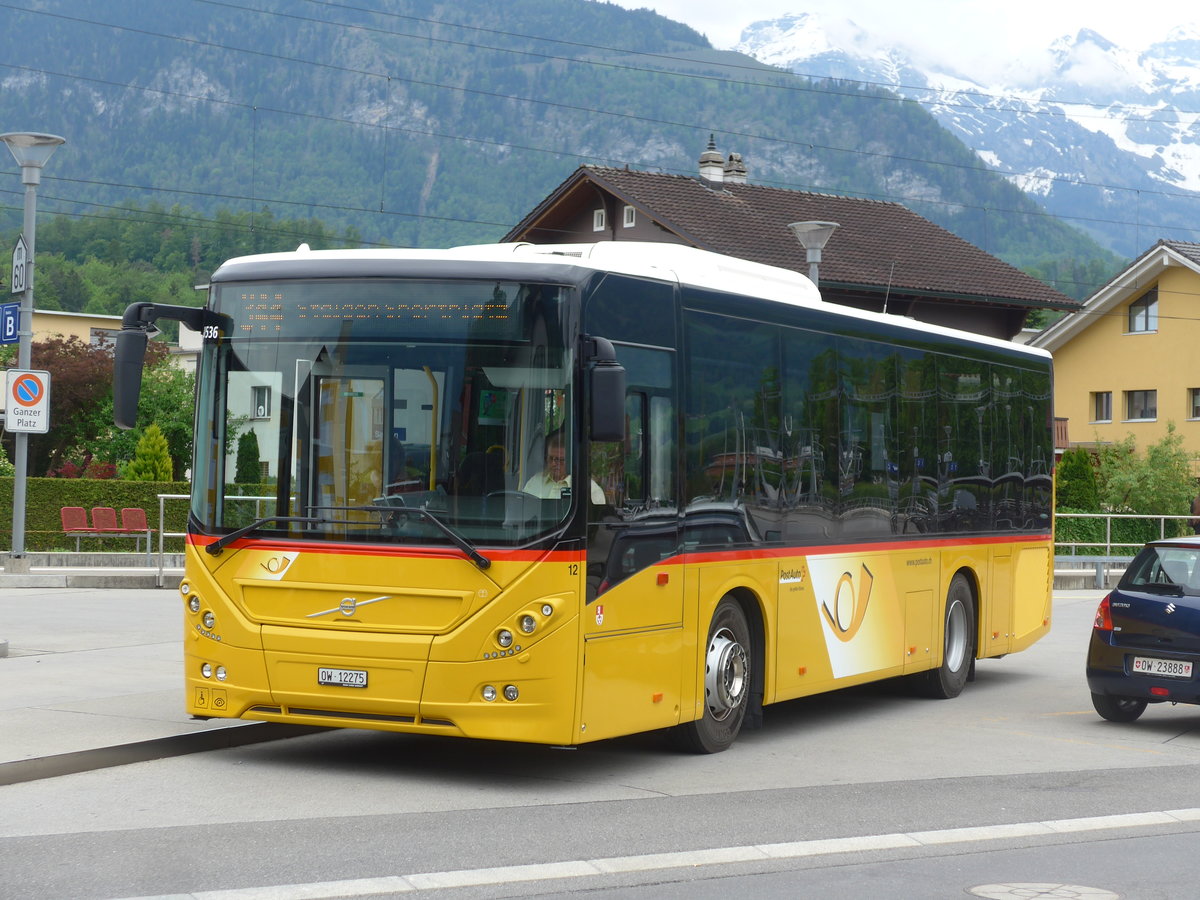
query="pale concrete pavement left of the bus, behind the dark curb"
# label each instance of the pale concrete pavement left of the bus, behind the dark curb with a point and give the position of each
(91, 673)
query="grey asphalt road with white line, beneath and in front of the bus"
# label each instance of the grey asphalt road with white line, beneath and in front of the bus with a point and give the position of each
(865, 794)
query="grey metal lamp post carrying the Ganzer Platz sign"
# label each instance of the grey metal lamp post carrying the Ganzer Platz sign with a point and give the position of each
(32, 152)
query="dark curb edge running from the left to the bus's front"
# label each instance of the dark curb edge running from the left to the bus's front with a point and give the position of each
(225, 737)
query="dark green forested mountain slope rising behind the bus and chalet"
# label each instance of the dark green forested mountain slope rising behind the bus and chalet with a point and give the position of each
(429, 123)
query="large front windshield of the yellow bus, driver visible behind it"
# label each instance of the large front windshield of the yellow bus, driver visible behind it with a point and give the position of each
(386, 411)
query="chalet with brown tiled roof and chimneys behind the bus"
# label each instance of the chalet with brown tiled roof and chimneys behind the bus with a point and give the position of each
(881, 257)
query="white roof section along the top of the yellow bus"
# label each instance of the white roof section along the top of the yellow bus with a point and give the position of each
(665, 262)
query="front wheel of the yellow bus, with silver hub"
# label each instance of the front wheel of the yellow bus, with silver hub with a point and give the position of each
(729, 670)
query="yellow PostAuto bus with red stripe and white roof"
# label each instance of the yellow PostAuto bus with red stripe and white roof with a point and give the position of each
(563, 494)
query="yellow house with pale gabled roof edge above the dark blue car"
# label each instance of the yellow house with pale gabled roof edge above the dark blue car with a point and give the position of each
(1129, 363)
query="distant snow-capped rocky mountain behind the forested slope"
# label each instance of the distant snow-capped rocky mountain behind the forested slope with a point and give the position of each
(1107, 136)
